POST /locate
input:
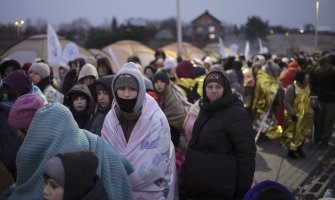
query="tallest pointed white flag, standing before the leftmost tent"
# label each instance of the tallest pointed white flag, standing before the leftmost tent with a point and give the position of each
(54, 47)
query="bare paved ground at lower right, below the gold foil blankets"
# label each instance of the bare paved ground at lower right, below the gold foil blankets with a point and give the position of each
(272, 163)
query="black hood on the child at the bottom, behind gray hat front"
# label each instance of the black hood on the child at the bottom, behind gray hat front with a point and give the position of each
(80, 173)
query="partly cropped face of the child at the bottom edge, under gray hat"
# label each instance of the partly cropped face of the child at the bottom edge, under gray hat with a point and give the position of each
(52, 190)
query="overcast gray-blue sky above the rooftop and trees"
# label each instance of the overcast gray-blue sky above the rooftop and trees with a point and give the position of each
(290, 13)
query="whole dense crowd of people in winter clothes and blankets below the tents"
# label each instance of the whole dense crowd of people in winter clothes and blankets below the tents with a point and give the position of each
(175, 129)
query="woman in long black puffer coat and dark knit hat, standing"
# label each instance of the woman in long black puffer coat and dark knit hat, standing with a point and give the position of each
(220, 160)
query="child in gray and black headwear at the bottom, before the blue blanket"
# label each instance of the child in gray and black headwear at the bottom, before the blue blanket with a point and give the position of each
(71, 176)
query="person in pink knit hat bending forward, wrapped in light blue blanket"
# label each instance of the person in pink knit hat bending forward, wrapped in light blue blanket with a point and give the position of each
(49, 130)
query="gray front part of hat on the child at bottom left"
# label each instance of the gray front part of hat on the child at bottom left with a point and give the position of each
(55, 170)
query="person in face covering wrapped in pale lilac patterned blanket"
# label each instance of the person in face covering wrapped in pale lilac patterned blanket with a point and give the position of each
(137, 128)
